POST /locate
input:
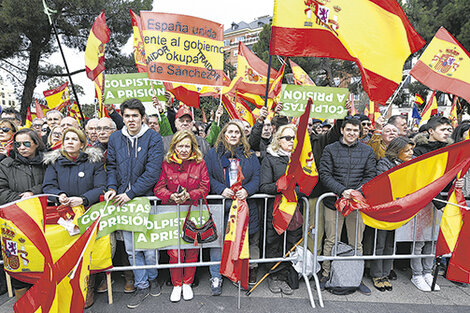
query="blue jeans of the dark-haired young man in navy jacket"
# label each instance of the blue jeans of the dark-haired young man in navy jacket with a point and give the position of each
(142, 257)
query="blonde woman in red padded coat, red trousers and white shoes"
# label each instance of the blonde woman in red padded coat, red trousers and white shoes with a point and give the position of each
(183, 167)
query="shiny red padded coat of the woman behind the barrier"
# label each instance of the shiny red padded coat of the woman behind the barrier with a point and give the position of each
(190, 175)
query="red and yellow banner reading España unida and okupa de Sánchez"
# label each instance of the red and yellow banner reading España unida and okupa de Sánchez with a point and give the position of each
(182, 48)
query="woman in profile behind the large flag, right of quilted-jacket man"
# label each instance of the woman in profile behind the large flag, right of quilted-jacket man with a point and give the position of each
(398, 151)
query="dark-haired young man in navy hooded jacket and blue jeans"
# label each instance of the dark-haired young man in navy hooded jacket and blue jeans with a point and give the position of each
(135, 156)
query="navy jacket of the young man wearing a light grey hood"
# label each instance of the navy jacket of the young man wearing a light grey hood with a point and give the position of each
(134, 162)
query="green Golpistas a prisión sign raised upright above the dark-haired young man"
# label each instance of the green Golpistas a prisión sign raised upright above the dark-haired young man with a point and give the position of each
(120, 87)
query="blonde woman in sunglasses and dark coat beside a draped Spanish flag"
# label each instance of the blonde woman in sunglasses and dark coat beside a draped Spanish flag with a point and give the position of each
(273, 167)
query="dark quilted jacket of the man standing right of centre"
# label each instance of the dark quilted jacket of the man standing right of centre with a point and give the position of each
(345, 167)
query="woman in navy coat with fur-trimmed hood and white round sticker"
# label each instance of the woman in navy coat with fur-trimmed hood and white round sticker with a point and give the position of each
(76, 174)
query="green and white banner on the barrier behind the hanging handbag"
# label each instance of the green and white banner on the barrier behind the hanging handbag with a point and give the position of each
(162, 227)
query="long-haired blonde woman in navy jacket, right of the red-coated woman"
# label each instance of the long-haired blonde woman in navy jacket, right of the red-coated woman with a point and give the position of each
(231, 152)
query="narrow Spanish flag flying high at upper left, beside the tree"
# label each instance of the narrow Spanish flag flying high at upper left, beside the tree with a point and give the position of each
(94, 51)
